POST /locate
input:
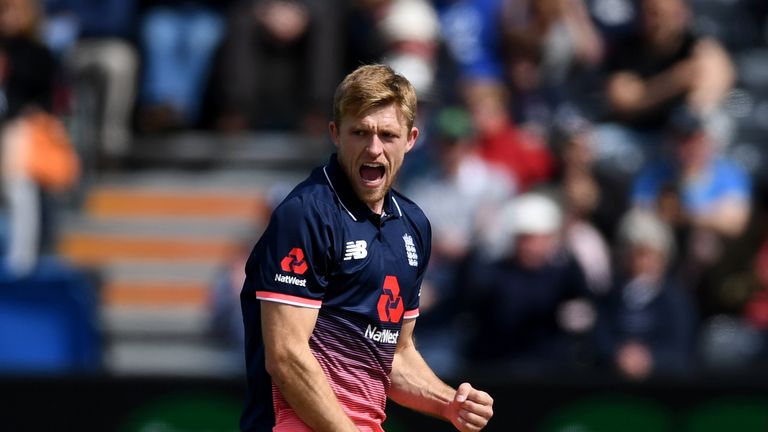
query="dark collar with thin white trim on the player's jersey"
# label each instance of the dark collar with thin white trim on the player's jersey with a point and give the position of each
(355, 208)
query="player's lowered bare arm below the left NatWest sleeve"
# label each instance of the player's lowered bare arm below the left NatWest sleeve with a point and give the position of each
(295, 370)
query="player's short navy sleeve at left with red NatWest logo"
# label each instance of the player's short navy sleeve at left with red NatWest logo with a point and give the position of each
(289, 263)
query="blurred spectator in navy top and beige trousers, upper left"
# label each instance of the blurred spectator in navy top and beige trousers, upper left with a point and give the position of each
(96, 42)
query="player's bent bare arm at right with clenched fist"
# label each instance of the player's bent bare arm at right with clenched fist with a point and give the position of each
(415, 386)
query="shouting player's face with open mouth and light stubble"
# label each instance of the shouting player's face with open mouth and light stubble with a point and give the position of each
(371, 148)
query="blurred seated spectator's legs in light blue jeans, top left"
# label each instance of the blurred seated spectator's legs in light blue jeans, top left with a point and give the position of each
(178, 40)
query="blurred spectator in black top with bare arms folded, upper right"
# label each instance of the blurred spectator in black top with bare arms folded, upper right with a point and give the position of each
(661, 69)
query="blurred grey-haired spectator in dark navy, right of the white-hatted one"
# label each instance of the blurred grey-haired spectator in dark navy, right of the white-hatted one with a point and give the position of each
(646, 324)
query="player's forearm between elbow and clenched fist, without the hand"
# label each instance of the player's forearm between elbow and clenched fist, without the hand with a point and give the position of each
(415, 386)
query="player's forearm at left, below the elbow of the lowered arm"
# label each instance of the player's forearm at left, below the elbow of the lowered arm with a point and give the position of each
(306, 389)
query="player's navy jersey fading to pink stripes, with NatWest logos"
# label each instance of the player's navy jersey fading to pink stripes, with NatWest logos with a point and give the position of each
(325, 249)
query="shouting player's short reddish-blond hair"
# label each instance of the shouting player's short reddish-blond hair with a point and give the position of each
(373, 86)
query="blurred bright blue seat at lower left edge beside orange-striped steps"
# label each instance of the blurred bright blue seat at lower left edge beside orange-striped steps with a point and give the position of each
(49, 321)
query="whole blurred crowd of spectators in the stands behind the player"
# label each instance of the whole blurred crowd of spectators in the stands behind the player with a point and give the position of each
(575, 161)
